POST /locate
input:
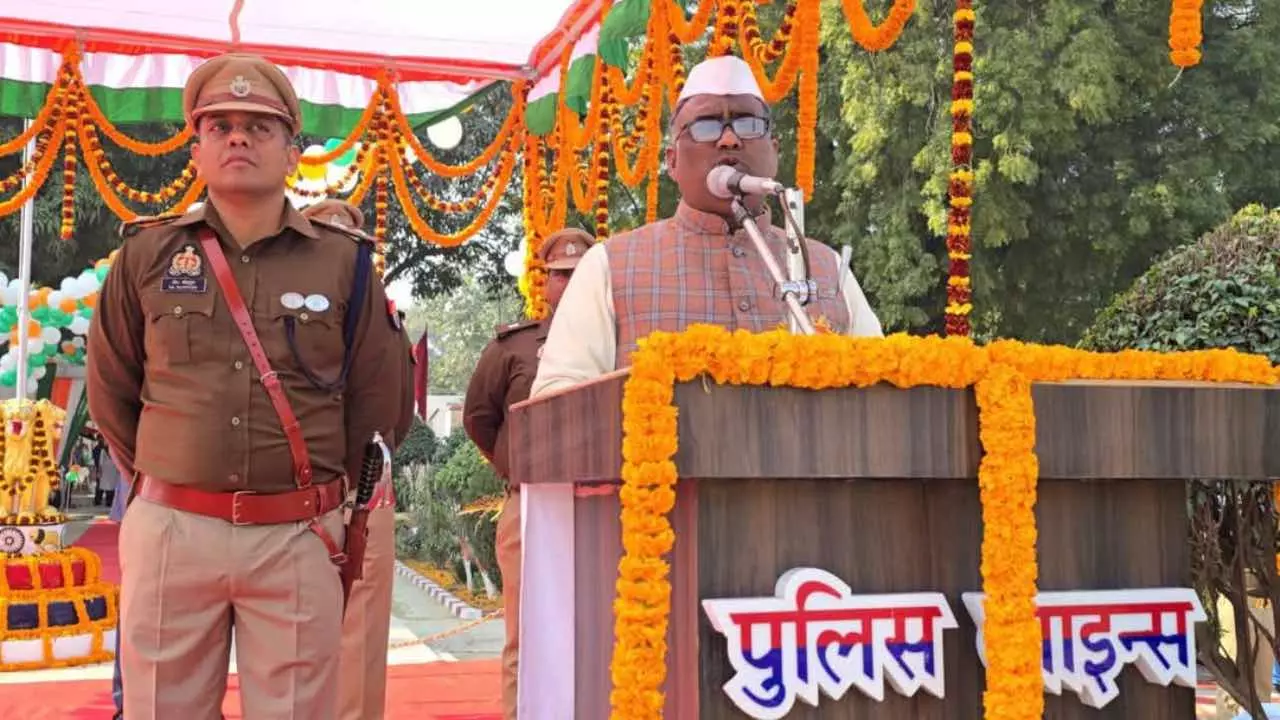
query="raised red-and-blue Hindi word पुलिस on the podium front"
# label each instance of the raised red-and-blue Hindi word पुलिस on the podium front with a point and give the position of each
(815, 635)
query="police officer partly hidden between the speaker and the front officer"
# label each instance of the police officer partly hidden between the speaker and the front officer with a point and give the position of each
(504, 377)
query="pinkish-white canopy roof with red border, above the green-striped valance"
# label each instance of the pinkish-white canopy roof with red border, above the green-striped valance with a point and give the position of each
(467, 42)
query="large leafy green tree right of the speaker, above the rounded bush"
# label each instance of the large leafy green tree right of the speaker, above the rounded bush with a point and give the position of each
(1090, 158)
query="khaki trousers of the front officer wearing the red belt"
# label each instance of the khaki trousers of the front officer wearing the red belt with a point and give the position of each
(189, 581)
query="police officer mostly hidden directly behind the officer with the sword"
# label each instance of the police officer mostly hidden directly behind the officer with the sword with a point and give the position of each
(368, 623)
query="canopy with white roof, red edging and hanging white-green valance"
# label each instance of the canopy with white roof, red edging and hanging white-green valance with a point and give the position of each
(139, 53)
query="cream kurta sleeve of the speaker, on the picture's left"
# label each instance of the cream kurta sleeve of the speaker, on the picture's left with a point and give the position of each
(583, 340)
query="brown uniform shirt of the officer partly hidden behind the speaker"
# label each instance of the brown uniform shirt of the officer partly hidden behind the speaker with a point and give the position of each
(502, 377)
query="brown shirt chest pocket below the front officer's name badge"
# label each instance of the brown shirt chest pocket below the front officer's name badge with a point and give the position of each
(180, 327)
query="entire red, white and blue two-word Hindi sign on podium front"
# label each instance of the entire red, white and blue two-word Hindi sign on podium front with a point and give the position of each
(815, 636)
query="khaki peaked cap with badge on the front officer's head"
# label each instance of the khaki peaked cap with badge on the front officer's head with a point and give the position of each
(240, 83)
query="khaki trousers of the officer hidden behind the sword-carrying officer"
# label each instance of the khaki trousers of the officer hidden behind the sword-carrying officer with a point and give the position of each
(368, 626)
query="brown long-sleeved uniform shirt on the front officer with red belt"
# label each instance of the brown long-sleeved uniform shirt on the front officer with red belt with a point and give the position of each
(171, 382)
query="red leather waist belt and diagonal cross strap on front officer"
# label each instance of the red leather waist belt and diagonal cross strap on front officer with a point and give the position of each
(250, 508)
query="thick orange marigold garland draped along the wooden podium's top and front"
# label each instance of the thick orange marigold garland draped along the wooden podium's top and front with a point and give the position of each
(1002, 376)
